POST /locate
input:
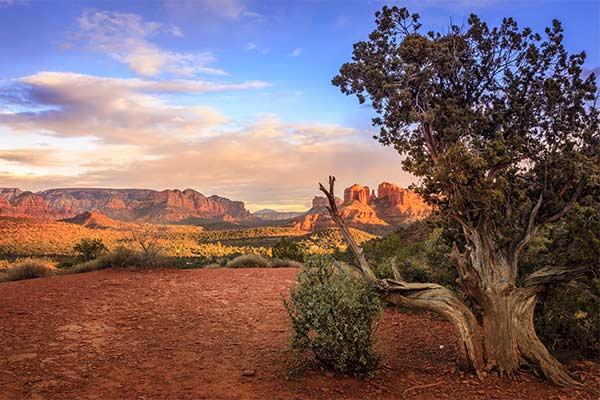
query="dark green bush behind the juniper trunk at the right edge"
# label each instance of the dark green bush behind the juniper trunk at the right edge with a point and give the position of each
(567, 318)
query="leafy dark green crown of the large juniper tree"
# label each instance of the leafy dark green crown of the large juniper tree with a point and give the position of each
(470, 108)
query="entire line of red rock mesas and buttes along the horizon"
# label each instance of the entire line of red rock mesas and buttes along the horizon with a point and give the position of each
(361, 207)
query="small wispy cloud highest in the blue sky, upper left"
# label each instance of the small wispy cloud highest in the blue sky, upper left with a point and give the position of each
(126, 38)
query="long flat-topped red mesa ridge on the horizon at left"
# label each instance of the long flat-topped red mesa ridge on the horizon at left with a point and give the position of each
(139, 205)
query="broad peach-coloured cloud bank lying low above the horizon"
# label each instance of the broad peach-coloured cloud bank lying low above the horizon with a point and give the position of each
(265, 162)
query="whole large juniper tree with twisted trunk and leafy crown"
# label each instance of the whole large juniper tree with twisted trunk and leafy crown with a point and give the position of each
(500, 125)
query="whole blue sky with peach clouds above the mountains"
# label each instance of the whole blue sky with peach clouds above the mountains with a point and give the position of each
(227, 97)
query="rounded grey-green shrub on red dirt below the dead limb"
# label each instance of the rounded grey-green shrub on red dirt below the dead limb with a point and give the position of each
(332, 314)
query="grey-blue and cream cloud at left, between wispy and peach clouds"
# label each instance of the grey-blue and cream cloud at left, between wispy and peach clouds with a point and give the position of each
(114, 110)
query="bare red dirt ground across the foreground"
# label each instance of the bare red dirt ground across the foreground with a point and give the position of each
(190, 335)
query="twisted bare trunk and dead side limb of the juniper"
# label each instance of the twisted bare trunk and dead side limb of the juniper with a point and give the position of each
(506, 339)
